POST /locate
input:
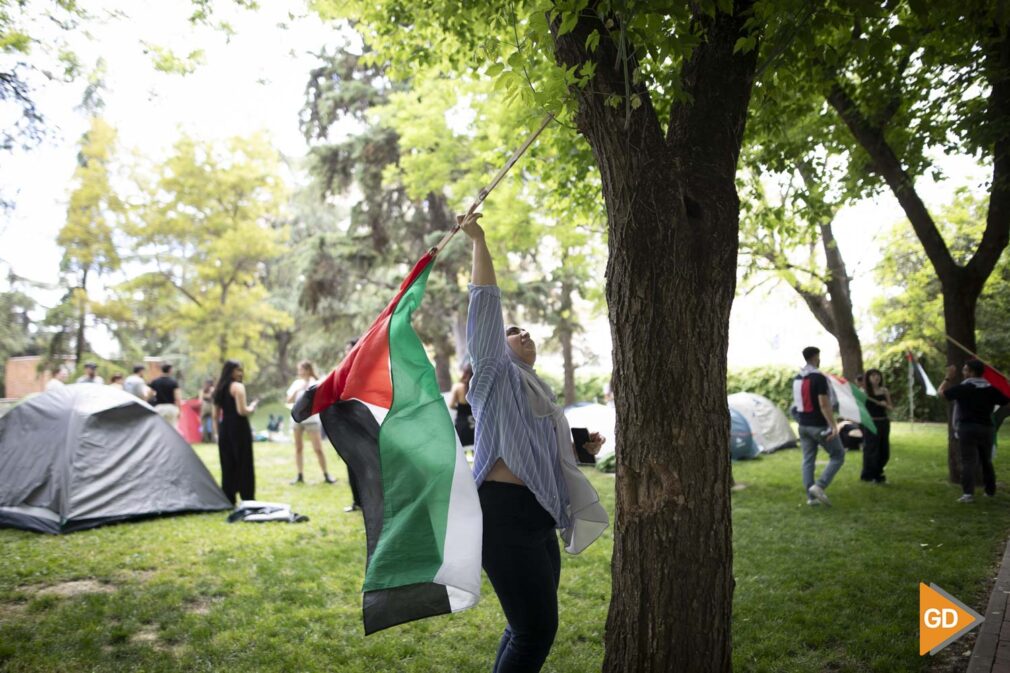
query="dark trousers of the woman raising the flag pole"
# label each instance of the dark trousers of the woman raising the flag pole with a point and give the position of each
(523, 560)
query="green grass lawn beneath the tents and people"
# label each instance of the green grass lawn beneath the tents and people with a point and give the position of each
(819, 590)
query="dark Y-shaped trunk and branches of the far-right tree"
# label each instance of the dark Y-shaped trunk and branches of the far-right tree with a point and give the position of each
(962, 284)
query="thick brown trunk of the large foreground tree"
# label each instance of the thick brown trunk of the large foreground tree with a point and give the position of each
(673, 218)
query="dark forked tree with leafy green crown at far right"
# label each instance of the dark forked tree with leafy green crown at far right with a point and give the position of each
(906, 82)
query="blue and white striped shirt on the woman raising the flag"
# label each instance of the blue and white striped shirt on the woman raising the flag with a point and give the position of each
(507, 428)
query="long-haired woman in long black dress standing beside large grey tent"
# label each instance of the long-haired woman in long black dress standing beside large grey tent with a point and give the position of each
(235, 436)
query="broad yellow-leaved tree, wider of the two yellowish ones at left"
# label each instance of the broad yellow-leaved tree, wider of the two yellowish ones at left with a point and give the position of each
(209, 225)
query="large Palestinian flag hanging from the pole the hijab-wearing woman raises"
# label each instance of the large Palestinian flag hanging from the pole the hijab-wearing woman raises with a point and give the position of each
(385, 416)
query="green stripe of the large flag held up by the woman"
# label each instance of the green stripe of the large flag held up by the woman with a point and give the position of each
(418, 456)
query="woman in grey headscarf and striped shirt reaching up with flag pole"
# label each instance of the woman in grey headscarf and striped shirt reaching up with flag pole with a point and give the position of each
(526, 471)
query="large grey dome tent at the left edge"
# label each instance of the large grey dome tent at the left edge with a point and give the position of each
(86, 455)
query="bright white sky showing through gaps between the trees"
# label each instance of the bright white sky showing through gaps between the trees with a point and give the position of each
(257, 80)
